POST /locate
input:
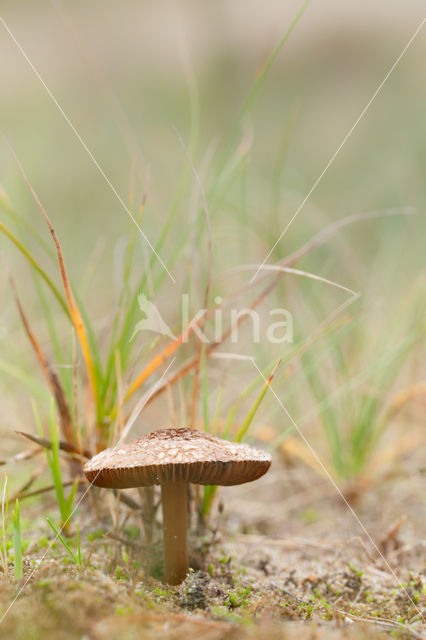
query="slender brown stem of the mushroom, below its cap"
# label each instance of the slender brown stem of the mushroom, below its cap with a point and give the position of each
(174, 501)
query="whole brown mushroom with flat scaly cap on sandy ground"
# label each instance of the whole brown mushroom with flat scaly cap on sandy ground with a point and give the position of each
(173, 458)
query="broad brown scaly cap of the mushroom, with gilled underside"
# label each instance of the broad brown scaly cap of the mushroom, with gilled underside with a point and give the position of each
(176, 455)
